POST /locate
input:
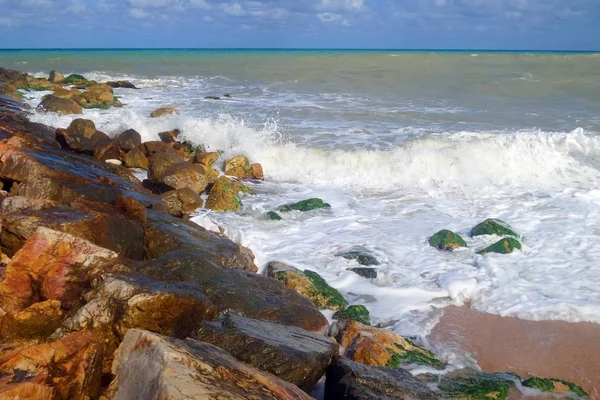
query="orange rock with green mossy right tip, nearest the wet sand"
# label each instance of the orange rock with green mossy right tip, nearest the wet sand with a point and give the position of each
(380, 347)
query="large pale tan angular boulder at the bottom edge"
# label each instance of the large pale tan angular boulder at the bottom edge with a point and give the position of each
(150, 366)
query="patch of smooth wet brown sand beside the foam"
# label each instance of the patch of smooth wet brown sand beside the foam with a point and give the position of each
(551, 349)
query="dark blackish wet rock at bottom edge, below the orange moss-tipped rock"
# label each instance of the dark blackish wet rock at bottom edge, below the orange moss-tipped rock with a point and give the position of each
(347, 380)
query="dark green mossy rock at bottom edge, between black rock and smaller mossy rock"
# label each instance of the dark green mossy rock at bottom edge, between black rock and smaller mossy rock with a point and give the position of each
(477, 386)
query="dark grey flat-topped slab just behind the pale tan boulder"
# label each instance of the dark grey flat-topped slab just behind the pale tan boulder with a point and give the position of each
(290, 353)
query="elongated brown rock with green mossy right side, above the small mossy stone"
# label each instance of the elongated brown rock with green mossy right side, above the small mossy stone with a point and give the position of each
(309, 284)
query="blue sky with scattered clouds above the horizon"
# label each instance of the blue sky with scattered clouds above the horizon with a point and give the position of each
(425, 24)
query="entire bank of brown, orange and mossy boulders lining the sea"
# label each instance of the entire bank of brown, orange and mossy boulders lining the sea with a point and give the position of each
(108, 291)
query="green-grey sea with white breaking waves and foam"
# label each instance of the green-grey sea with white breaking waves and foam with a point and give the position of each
(402, 144)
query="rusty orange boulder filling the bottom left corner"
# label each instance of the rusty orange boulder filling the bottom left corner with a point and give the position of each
(67, 369)
